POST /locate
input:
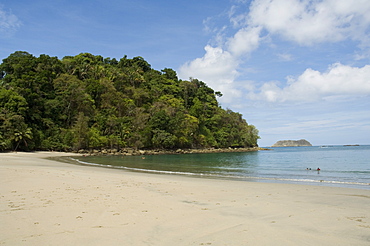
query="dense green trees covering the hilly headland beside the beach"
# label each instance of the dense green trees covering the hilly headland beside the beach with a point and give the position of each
(88, 101)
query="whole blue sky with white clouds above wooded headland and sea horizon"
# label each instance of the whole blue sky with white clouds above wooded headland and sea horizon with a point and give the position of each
(294, 68)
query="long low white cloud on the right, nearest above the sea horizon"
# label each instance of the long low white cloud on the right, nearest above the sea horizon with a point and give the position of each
(338, 80)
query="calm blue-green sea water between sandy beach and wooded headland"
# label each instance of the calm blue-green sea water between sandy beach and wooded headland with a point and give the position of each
(343, 166)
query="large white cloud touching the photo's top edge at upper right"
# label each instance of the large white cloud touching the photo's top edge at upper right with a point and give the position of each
(309, 22)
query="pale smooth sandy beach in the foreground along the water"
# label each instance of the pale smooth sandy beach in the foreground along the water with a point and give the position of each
(46, 202)
